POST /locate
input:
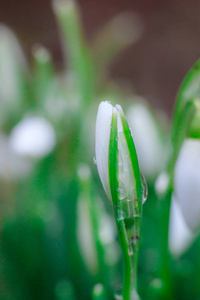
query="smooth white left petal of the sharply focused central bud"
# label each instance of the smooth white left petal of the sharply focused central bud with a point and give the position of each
(103, 124)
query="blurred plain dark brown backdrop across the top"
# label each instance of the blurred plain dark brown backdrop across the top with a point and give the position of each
(155, 65)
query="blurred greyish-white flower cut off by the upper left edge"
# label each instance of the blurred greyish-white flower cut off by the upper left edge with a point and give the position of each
(13, 68)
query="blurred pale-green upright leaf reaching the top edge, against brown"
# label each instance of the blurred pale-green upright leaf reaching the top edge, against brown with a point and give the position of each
(80, 58)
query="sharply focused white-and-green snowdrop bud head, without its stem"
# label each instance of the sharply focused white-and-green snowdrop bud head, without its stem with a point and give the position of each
(116, 160)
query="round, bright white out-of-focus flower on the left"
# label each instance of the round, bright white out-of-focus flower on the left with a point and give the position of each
(33, 137)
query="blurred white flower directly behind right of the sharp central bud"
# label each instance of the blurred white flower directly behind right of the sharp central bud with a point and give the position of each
(150, 149)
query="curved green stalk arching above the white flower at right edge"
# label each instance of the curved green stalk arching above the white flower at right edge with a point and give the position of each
(186, 113)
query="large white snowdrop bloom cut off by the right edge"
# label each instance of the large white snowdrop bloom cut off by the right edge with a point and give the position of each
(187, 182)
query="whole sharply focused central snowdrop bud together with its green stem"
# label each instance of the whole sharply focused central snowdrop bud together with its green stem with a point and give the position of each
(119, 172)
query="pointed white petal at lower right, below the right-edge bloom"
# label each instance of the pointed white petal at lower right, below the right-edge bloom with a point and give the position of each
(180, 235)
